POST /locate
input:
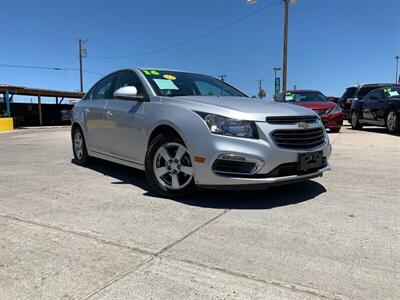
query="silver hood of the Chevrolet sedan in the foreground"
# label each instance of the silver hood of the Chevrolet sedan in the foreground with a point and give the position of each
(238, 107)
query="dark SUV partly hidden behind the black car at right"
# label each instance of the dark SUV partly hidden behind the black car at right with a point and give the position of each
(354, 93)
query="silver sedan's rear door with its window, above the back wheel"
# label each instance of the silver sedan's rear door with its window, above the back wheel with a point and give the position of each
(94, 113)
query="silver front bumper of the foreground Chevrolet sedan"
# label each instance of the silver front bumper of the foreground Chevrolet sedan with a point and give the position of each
(263, 150)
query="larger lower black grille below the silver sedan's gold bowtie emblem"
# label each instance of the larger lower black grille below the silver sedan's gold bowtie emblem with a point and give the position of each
(299, 138)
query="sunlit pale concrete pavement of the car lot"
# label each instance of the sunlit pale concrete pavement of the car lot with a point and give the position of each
(73, 232)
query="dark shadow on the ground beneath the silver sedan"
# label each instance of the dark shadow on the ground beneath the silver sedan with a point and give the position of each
(218, 199)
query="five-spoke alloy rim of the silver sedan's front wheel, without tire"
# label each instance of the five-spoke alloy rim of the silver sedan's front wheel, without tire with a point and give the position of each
(172, 166)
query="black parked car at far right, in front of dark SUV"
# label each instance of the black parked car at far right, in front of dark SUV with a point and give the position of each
(380, 107)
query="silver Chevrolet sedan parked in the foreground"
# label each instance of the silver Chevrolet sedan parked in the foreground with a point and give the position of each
(189, 130)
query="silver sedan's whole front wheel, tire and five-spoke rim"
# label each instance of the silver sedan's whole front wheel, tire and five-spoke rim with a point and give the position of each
(169, 169)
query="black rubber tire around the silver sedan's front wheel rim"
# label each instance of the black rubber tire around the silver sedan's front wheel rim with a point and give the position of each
(158, 184)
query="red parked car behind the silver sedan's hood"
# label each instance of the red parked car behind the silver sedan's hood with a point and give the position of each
(330, 113)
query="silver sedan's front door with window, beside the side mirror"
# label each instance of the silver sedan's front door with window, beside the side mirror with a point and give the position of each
(126, 134)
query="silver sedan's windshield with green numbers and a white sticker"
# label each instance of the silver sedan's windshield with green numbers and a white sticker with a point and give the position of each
(172, 83)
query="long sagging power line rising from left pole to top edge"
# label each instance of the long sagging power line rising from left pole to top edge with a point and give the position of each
(201, 36)
